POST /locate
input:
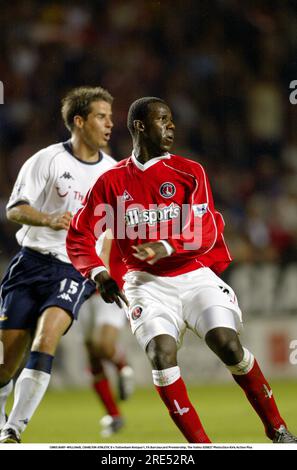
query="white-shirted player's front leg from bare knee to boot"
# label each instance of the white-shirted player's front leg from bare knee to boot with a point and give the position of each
(34, 379)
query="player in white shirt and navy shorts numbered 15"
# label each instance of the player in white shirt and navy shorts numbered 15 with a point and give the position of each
(41, 292)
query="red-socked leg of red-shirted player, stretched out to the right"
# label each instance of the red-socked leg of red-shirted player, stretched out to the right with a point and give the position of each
(245, 370)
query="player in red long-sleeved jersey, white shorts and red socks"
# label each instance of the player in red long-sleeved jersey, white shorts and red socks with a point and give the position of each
(161, 211)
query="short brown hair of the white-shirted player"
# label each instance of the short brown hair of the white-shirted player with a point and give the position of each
(77, 102)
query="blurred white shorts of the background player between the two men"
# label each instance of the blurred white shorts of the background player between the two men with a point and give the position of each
(95, 312)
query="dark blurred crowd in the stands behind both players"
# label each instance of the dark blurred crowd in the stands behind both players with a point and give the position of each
(224, 66)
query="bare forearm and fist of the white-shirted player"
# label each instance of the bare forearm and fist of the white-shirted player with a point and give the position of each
(25, 214)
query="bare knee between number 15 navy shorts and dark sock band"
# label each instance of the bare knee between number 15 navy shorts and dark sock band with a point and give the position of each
(52, 324)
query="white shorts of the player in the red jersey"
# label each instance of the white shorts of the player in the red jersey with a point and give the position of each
(168, 305)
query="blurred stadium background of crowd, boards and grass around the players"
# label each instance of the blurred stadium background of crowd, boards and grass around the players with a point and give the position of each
(225, 68)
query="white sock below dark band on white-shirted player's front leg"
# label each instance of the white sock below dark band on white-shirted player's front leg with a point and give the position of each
(29, 391)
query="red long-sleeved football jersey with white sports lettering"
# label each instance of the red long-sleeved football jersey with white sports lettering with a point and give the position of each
(168, 198)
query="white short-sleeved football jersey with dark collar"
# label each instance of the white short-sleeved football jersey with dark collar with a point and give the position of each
(54, 181)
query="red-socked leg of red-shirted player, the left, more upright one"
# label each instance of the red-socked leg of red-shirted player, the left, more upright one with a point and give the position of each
(162, 353)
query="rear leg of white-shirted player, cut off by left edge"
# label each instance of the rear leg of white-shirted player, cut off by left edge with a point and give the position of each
(15, 344)
